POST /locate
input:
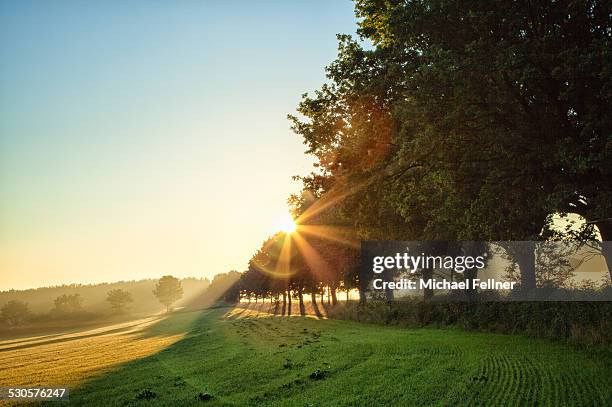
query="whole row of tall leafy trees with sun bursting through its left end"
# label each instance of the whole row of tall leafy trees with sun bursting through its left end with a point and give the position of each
(478, 121)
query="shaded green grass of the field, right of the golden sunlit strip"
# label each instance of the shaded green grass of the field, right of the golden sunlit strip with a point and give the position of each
(215, 362)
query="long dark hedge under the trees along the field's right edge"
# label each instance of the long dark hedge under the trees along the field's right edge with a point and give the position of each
(584, 323)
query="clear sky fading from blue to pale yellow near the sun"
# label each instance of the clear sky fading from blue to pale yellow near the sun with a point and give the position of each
(139, 139)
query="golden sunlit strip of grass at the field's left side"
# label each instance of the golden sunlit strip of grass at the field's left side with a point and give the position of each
(72, 358)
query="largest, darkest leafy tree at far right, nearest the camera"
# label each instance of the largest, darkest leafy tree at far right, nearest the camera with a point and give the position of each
(516, 97)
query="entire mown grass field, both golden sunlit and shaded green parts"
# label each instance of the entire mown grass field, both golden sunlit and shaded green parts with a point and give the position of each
(241, 357)
